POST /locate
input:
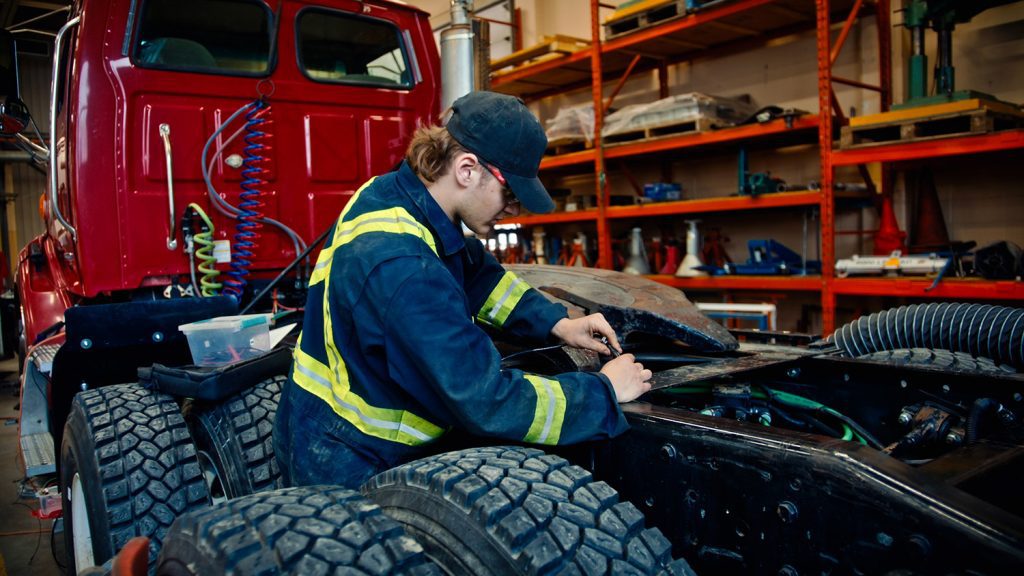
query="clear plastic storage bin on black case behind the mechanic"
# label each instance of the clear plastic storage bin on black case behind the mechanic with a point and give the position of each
(228, 340)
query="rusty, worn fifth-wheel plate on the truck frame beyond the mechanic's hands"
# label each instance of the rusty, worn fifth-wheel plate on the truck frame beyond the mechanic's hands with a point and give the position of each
(631, 304)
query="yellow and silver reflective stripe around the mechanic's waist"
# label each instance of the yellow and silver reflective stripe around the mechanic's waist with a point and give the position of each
(397, 426)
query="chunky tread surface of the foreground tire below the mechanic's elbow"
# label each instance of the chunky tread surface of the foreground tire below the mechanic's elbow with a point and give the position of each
(545, 514)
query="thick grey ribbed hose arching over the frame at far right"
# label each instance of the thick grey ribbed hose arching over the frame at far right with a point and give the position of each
(982, 331)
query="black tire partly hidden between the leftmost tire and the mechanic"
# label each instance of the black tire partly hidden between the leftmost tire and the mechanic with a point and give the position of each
(235, 438)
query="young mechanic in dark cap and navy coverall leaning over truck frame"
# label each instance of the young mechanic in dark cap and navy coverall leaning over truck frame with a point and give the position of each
(392, 354)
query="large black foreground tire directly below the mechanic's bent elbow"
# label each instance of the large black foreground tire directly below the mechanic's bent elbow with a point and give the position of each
(519, 511)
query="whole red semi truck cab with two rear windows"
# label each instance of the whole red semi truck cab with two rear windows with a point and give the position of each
(142, 89)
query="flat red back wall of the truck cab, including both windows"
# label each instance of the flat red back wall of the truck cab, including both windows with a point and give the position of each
(345, 93)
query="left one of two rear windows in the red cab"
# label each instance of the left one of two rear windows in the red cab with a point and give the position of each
(215, 36)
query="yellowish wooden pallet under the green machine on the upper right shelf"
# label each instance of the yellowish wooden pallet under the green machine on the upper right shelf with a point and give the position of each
(932, 122)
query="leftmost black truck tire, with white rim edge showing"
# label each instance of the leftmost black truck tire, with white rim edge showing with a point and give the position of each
(129, 469)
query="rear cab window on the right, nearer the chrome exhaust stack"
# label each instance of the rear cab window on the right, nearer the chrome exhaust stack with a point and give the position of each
(350, 50)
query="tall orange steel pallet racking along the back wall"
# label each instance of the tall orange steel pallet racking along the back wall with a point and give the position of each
(733, 28)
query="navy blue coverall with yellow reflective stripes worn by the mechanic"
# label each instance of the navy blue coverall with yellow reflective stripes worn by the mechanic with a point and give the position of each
(392, 355)
